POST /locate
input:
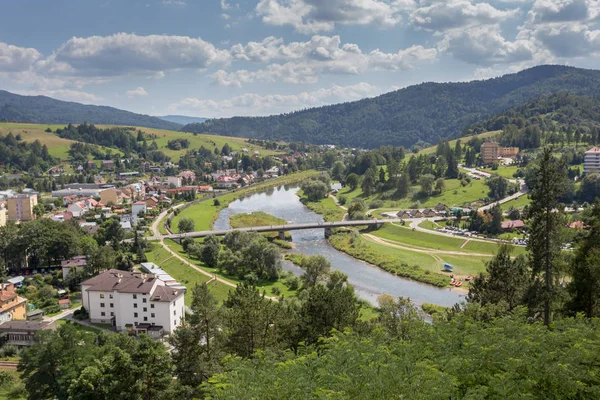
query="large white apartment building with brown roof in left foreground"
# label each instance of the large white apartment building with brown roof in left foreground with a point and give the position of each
(133, 300)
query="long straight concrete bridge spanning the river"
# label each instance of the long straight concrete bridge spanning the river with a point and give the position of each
(373, 224)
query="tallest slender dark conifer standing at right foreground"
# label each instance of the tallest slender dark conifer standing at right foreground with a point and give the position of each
(545, 241)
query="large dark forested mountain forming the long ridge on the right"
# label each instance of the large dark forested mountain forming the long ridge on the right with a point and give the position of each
(420, 114)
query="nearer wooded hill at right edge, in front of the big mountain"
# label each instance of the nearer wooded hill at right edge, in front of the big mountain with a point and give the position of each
(559, 118)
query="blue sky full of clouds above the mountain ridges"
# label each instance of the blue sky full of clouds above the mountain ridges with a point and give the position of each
(219, 58)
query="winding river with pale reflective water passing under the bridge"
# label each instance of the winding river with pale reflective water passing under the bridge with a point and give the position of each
(369, 281)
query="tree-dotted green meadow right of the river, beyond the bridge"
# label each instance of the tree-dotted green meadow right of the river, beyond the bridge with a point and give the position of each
(453, 195)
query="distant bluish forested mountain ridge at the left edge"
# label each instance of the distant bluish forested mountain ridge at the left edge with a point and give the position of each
(46, 110)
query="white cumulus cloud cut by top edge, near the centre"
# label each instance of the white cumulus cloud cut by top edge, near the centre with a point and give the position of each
(312, 16)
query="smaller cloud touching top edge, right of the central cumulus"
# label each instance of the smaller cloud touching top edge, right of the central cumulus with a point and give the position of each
(443, 15)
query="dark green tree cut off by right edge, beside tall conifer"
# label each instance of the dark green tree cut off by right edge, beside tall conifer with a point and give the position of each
(585, 266)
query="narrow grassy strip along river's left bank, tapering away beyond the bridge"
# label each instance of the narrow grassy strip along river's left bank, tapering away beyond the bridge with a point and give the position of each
(205, 213)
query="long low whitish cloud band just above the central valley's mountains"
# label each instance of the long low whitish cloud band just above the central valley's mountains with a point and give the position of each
(254, 104)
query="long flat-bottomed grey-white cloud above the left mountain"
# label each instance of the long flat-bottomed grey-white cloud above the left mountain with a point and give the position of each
(124, 53)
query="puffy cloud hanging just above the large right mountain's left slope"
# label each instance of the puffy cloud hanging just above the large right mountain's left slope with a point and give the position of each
(485, 45)
